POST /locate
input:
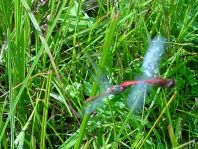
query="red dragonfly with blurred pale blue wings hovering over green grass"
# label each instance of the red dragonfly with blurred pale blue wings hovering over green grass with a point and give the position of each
(147, 79)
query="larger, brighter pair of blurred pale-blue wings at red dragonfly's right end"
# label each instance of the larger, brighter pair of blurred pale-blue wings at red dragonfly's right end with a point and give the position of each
(149, 69)
